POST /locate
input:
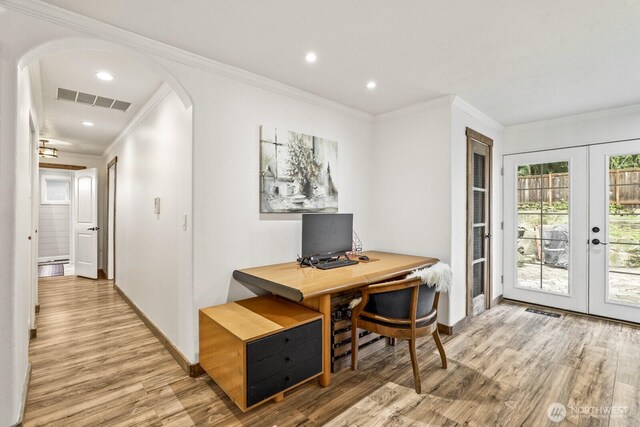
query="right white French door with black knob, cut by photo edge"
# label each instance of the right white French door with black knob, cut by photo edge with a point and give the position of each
(614, 254)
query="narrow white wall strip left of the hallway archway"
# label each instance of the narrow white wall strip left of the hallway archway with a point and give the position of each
(17, 312)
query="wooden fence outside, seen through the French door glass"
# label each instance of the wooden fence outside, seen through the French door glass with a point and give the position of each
(624, 185)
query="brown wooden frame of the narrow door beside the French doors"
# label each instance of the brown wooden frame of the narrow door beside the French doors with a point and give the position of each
(474, 138)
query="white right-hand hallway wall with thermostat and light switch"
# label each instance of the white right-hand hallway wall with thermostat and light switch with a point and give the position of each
(153, 252)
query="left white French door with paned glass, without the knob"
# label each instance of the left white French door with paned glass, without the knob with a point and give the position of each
(545, 225)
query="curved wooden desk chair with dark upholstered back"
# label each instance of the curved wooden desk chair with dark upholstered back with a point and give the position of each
(404, 309)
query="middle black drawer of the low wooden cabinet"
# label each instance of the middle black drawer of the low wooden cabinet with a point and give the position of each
(261, 369)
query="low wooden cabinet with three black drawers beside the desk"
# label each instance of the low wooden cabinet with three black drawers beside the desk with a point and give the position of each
(257, 349)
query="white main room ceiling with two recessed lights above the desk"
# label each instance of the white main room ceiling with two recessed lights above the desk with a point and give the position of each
(517, 61)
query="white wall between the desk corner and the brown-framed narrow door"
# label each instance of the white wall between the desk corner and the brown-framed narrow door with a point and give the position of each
(411, 186)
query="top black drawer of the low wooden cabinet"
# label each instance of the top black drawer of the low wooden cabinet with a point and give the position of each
(277, 343)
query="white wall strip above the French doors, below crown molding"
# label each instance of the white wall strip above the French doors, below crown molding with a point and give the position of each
(601, 126)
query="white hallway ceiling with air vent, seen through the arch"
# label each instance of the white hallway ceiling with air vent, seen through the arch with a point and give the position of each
(76, 70)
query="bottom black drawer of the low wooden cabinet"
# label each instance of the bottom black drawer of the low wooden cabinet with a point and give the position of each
(283, 380)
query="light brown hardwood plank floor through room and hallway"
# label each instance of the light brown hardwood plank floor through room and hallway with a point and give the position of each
(95, 363)
